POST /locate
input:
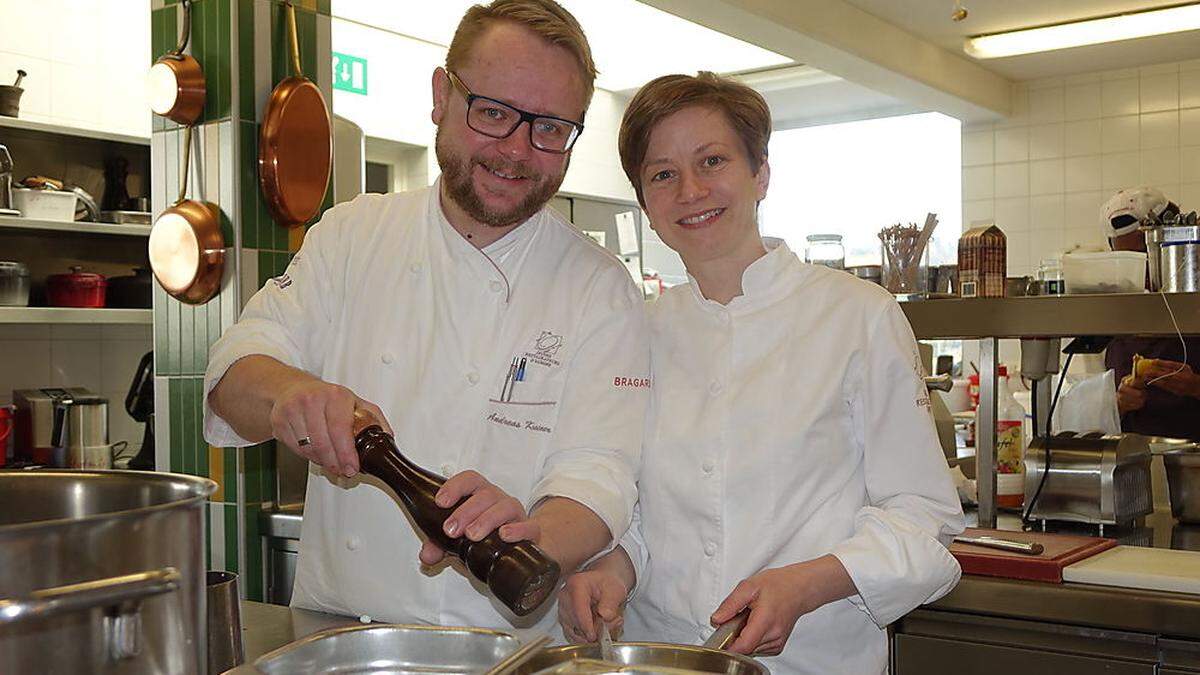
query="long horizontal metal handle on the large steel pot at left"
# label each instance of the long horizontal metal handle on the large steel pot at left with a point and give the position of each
(86, 595)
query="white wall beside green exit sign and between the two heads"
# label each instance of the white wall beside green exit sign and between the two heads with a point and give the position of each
(399, 100)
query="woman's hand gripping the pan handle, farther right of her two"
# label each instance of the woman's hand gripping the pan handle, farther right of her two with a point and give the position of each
(778, 599)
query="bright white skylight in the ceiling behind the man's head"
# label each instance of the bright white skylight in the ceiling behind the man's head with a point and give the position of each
(632, 43)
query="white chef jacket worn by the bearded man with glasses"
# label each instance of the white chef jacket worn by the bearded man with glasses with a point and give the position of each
(388, 300)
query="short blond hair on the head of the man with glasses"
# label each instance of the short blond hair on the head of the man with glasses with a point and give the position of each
(545, 19)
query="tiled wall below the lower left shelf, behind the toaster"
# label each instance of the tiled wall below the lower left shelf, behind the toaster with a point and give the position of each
(101, 359)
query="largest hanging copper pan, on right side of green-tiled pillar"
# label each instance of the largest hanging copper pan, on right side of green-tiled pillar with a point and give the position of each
(296, 150)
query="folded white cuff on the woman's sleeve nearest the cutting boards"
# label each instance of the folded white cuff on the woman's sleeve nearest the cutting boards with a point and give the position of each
(893, 581)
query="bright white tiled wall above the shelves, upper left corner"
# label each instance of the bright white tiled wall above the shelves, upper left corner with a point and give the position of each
(87, 62)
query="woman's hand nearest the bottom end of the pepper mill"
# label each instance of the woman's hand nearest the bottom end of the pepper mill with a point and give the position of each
(597, 595)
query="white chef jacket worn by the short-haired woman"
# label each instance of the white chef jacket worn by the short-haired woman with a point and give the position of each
(790, 425)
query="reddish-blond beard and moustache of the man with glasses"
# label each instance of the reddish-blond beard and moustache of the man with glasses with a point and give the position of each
(457, 175)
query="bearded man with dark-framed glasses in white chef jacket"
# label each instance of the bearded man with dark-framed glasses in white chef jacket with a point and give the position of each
(502, 347)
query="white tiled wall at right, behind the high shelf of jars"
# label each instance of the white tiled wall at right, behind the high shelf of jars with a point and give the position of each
(1071, 144)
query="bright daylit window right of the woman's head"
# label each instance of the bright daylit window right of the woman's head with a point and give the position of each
(857, 178)
